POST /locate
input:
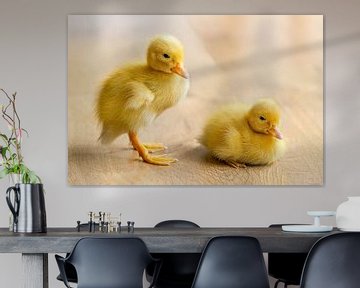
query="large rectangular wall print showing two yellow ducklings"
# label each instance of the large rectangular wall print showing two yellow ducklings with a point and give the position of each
(195, 100)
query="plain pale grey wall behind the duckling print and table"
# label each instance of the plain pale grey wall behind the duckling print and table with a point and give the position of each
(33, 57)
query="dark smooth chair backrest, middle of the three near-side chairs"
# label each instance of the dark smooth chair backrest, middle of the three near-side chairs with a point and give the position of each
(232, 262)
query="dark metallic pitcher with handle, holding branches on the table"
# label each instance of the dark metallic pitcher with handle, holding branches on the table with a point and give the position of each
(28, 207)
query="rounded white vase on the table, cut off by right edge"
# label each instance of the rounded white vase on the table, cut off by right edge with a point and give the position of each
(348, 214)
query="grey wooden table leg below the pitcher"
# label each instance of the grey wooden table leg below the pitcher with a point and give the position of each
(35, 270)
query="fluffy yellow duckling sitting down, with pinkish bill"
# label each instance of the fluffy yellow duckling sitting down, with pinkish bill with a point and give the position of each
(240, 134)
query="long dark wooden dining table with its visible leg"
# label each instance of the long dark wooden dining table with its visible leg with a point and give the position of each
(35, 247)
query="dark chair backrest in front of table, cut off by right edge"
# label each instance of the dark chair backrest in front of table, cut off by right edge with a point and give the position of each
(333, 262)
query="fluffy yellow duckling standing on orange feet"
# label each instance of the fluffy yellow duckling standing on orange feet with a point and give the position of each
(134, 95)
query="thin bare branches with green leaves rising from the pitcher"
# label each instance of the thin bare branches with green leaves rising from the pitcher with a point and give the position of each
(11, 159)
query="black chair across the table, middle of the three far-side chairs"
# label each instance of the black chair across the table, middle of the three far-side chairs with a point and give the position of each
(178, 269)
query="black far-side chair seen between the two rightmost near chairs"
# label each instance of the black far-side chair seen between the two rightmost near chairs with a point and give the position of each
(286, 267)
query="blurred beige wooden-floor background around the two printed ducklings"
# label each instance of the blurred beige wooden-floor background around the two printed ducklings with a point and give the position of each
(229, 58)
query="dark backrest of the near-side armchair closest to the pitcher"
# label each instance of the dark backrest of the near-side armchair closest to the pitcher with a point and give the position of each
(110, 262)
